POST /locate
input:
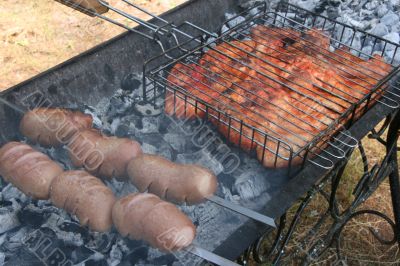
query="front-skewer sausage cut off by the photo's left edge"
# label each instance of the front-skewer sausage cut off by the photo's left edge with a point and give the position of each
(29, 170)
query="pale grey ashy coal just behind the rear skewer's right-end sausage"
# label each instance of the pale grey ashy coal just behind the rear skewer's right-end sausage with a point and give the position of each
(201, 157)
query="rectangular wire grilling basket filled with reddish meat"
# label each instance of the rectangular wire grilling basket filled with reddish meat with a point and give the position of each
(284, 138)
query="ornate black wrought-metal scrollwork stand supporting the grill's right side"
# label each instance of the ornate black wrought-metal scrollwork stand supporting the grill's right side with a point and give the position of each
(312, 249)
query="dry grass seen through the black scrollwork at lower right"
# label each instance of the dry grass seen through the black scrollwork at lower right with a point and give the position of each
(358, 245)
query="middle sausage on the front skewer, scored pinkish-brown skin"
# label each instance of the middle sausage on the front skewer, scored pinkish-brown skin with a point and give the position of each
(85, 196)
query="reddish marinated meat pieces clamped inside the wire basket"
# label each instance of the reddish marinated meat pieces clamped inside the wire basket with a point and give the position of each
(279, 81)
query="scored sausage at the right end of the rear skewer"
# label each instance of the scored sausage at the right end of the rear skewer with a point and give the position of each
(171, 181)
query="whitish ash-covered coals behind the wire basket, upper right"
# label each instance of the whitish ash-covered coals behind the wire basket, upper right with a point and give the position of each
(378, 17)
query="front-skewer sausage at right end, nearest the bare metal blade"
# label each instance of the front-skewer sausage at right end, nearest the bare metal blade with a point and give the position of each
(146, 217)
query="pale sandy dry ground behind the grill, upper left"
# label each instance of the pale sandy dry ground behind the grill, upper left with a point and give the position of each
(36, 35)
